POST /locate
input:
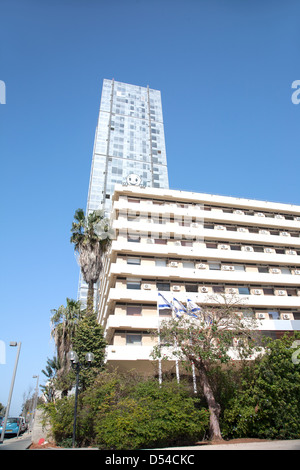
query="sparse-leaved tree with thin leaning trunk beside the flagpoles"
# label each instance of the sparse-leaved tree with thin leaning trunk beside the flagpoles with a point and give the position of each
(207, 341)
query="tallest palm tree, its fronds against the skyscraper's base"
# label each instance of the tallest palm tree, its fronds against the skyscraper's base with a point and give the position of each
(91, 238)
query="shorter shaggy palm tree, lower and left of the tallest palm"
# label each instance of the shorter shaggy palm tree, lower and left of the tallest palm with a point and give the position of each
(64, 323)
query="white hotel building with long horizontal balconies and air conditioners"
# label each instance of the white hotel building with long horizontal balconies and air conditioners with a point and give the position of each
(187, 244)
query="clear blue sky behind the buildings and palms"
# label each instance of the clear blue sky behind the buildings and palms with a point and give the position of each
(225, 70)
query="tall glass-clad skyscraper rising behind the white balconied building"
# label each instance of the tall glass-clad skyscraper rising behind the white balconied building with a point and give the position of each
(129, 145)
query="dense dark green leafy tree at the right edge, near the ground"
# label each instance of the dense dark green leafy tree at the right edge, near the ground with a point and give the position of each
(268, 405)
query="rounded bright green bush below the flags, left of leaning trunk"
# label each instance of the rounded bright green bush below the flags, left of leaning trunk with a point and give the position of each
(151, 417)
